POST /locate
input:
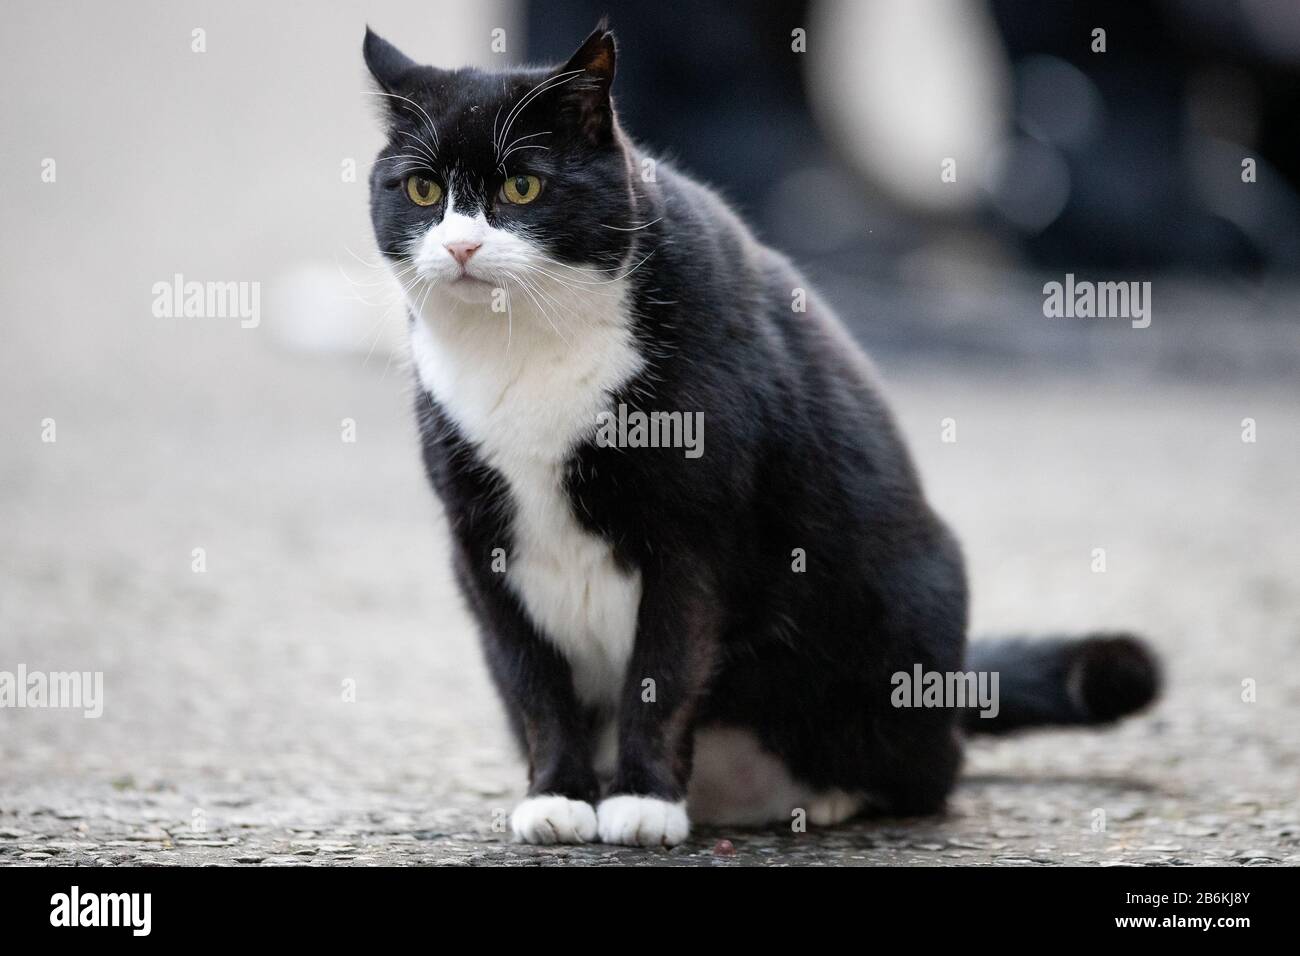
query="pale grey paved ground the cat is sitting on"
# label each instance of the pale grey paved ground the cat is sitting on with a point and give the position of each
(227, 737)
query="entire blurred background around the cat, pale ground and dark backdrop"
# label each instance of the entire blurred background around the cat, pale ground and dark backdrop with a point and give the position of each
(232, 142)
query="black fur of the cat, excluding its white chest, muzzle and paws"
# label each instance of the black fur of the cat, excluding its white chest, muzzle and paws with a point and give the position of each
(801, 457)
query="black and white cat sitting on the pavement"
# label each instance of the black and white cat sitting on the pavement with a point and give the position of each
(713, 634)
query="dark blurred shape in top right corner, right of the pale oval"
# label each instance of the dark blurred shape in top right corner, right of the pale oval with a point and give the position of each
(1147, 139)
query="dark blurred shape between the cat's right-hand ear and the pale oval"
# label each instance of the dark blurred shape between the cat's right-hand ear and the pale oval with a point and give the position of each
(716, 88)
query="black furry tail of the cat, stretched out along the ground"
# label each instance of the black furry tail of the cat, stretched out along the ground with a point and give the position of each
(1064, 682)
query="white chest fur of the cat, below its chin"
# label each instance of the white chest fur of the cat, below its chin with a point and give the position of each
(527, 406)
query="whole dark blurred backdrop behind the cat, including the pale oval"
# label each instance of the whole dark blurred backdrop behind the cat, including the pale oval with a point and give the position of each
(1125, 165)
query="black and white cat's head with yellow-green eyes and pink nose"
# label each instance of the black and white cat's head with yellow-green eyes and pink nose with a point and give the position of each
(499, 179)
